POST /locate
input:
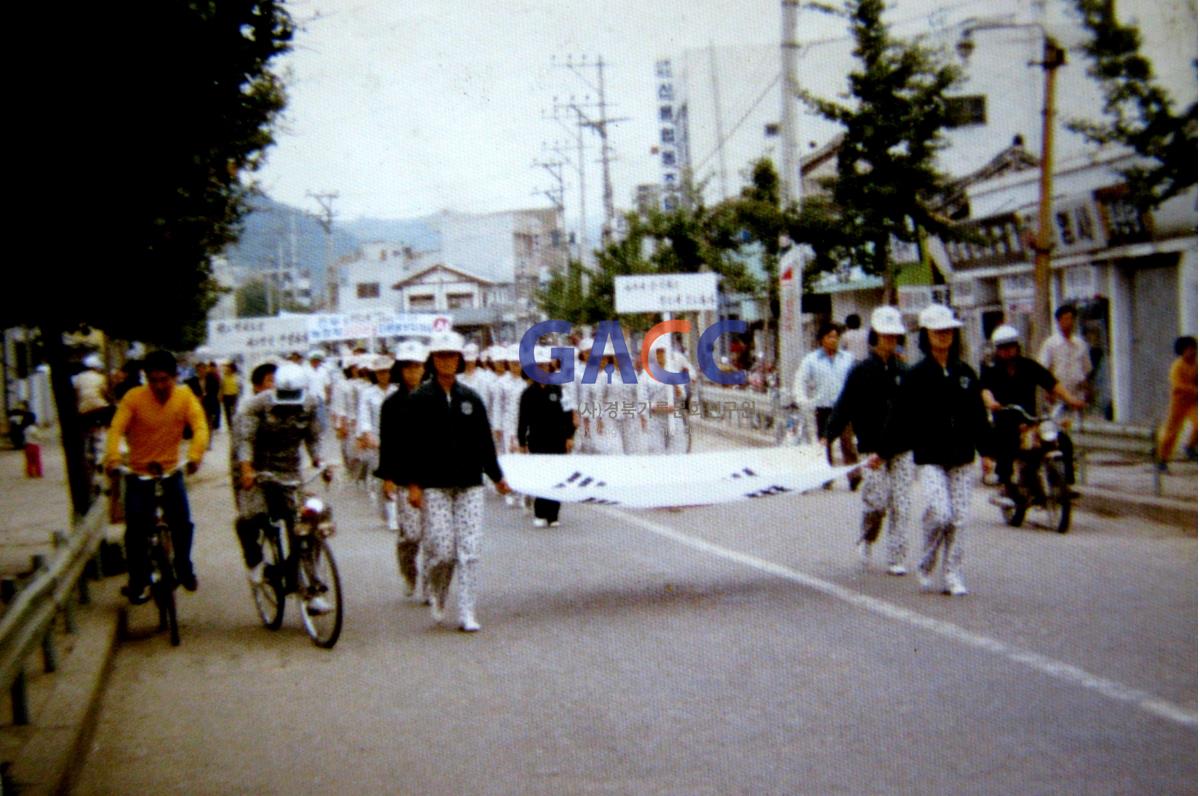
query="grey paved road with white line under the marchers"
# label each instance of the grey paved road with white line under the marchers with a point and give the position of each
(723, 650)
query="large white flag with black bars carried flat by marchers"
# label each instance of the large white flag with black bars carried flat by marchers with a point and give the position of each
(662, 482)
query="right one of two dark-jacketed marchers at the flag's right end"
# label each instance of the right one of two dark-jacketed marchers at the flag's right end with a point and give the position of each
(944, 414)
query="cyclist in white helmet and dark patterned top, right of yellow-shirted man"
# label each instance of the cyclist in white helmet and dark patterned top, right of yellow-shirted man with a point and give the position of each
(273, 426)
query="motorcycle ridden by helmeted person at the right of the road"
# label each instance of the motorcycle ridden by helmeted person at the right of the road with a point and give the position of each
(1040, 476)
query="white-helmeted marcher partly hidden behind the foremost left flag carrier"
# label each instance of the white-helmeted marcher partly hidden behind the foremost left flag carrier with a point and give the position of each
(395, 448)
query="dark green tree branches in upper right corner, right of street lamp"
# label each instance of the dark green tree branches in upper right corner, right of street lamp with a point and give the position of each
(1142, 115)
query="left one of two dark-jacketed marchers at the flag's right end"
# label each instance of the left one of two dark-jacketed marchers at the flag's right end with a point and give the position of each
(869, 403)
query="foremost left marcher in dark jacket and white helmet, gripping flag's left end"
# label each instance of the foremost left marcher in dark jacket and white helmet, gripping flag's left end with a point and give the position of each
(451, 429)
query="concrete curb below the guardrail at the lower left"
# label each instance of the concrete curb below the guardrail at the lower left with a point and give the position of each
(57, 749)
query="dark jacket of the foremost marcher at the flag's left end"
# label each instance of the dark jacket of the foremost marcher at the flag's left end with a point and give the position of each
(452, 441)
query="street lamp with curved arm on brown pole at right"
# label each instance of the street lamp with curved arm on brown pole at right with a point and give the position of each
(1053, 57)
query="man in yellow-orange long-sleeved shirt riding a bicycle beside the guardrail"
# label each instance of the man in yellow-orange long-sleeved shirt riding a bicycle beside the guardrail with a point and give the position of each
(152, 420)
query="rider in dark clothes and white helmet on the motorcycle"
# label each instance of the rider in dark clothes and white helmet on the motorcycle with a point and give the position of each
(1013, 380)
